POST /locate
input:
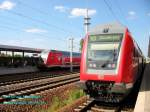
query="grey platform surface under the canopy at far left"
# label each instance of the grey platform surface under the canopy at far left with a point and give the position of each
(5, 70)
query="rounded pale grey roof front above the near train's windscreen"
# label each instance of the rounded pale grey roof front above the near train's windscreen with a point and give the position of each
(108, 28)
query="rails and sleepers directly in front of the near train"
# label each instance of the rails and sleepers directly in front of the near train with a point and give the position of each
(92, 106)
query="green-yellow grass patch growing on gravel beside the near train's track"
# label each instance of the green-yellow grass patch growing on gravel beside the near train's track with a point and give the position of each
(58, 103)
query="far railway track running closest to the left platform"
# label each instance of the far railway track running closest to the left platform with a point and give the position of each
(34, 76)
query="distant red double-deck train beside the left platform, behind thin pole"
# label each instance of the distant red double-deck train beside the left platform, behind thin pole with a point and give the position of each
(54, 58)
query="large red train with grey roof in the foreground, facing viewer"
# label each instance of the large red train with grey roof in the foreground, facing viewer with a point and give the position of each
(111, 63)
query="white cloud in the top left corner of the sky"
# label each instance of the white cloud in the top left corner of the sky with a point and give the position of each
(7, 5)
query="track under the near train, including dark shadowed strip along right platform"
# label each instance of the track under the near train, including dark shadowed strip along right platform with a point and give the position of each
(127, 105)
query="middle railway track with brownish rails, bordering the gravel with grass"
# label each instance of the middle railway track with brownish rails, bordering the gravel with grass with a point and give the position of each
(10, 92)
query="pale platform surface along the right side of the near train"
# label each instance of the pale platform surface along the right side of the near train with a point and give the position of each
(143, 99)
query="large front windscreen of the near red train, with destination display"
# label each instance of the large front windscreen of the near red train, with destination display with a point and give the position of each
(103, 51)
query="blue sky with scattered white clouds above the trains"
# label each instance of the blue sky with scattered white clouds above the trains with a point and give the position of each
(48, 24)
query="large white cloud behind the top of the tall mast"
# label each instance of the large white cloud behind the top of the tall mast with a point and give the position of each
(76, 12)
